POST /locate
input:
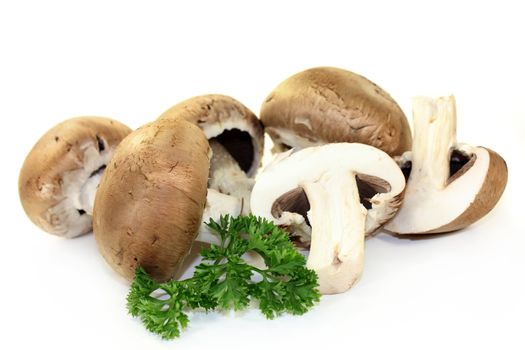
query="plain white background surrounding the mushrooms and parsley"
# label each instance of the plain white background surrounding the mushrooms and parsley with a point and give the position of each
(132, 60)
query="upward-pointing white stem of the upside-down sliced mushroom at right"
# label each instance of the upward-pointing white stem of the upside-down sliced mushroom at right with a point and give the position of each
(434, 137)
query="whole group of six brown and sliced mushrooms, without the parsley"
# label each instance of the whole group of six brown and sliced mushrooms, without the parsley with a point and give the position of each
(344, 165)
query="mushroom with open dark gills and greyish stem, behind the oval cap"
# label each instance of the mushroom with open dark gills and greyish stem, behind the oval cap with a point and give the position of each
(236, 137)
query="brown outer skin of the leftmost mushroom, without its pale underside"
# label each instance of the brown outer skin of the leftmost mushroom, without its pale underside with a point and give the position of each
(58, 151)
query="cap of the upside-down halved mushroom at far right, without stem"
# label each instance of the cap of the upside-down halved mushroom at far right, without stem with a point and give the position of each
(469, 194)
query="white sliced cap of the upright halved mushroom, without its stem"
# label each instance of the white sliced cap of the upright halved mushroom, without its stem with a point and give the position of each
(380, 181)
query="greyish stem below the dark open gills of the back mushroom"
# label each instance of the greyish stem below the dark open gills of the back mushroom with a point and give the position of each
(227, 177)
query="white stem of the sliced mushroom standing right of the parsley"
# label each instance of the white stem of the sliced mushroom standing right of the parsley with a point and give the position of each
(338, 230)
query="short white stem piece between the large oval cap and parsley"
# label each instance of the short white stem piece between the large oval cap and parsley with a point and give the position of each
(217, 204)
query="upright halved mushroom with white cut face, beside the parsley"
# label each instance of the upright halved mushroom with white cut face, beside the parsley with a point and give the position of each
(342, 191)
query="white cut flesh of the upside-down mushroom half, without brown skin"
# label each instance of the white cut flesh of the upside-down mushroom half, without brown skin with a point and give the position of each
(431, 200)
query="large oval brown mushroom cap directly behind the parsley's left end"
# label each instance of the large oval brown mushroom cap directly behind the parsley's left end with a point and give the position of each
(150, 200)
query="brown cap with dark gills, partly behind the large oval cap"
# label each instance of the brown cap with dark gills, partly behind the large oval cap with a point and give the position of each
(222, 117)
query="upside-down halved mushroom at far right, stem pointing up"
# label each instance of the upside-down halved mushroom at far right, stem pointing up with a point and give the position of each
(450, 185)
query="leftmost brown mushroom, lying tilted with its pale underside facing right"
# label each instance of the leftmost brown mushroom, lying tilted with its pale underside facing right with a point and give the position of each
(60, 175)
